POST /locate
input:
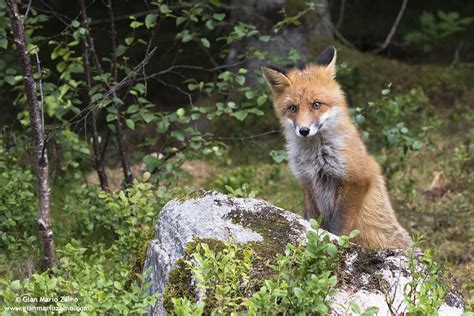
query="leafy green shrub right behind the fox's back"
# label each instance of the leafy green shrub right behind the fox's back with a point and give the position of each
(395, 128)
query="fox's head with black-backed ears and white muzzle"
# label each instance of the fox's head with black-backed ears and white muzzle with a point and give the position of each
(309, 100)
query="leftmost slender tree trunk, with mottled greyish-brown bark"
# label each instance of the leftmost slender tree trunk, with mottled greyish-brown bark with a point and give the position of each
(41, 157)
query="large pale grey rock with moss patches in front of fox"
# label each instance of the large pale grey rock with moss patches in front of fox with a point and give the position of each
(368, 277)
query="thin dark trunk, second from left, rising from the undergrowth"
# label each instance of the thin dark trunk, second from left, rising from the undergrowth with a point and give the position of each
(98, 158)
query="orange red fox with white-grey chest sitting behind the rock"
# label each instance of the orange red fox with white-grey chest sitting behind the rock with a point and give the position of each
(341, 181)
